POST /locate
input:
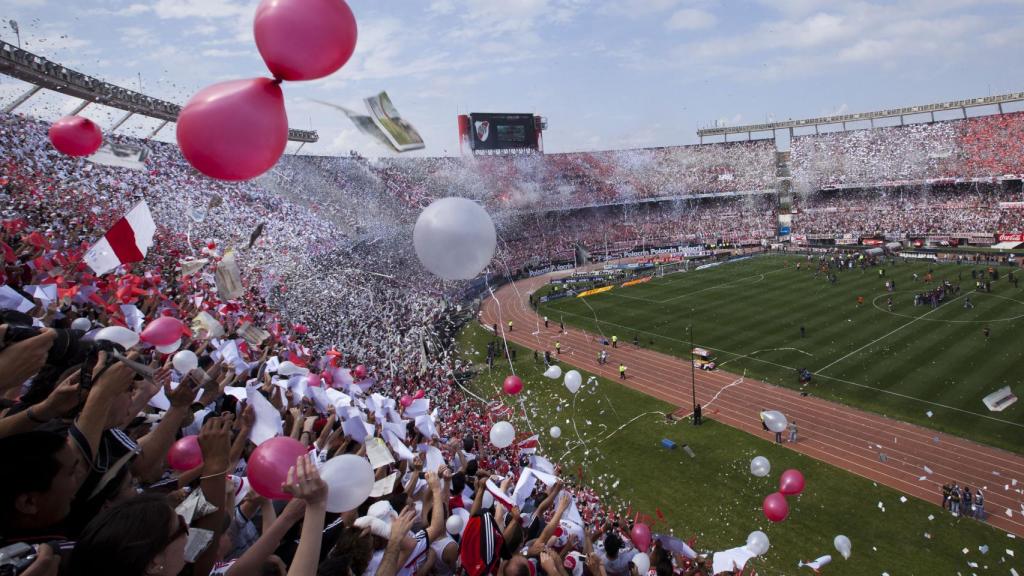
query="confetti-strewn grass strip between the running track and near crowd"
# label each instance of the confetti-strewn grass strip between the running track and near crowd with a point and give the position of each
(613, 434)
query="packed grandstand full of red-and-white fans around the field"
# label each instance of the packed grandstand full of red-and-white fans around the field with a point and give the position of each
(329, 287)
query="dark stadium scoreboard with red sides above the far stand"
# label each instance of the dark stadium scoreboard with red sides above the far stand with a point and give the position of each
(501, 134)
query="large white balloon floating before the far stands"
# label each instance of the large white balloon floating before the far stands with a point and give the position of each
(455, 238)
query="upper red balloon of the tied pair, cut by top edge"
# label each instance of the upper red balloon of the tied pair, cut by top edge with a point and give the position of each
(305, 39)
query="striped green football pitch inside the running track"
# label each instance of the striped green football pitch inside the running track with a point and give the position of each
(904, 364)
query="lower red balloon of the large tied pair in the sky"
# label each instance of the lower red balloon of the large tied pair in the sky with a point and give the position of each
(235, 131)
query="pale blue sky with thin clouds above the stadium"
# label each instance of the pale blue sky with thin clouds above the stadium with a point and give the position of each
(607, 74)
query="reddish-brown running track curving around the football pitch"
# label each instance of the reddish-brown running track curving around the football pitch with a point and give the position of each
(832, 433)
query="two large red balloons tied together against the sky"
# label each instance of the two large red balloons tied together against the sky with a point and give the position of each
(237, 131)
